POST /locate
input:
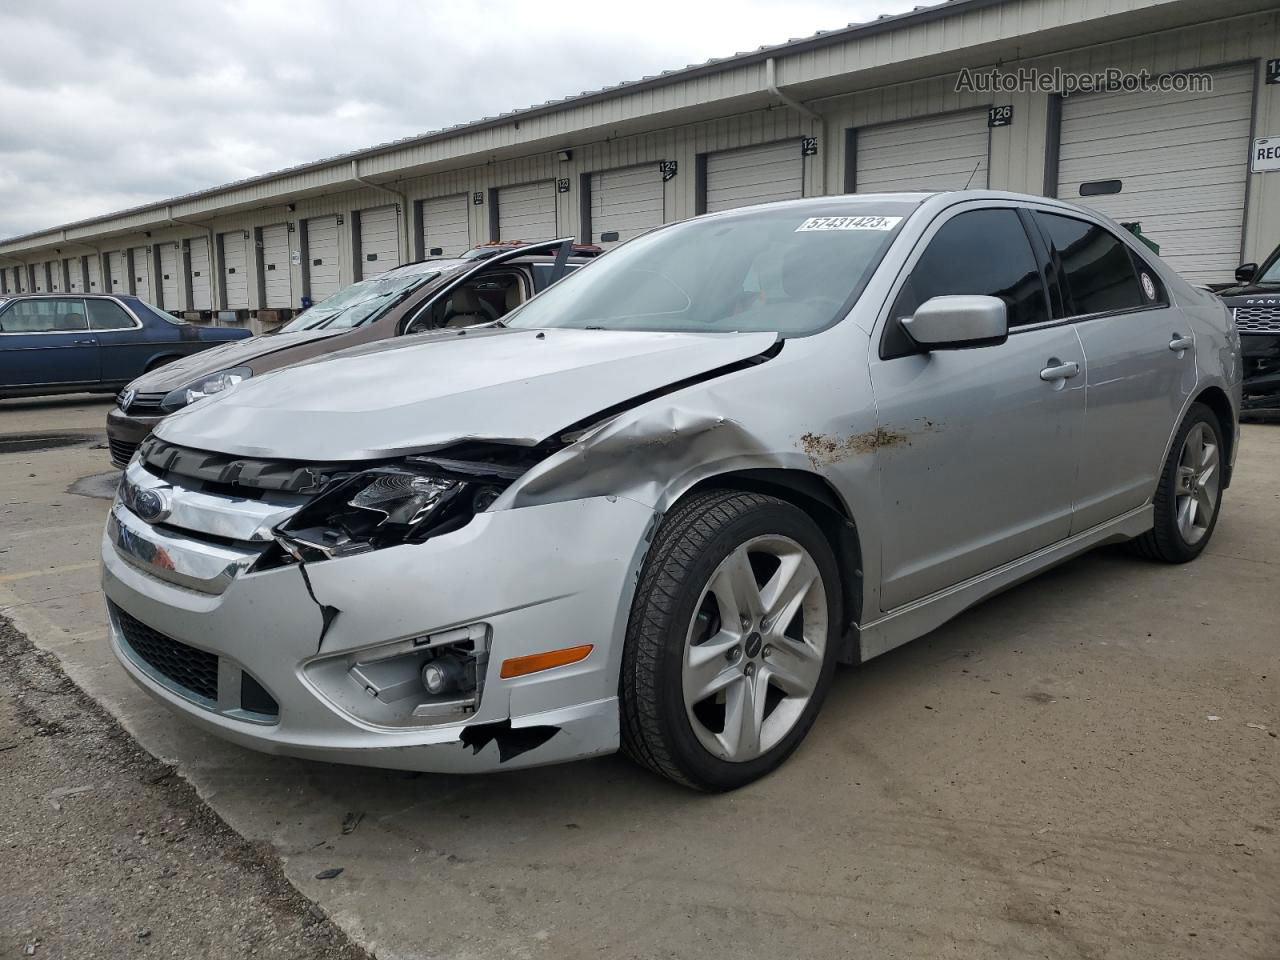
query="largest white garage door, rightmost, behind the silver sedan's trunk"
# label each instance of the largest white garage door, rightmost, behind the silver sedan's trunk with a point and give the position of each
(1182, 162)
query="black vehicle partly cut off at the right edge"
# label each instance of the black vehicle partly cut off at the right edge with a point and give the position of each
(1255, 300)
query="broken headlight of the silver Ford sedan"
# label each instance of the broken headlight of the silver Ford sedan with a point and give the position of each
(383, 508)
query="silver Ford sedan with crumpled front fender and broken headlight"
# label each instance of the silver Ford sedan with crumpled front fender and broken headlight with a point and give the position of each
(659, 505)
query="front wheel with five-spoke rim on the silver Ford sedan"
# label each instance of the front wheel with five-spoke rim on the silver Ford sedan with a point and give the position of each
(732, 643)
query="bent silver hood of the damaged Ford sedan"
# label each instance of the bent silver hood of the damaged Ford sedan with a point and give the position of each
(431, 391)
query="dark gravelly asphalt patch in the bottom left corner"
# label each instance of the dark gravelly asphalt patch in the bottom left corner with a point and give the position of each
(108, 854)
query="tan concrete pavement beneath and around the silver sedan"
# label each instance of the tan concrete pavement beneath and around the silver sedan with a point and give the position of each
(1041, 778)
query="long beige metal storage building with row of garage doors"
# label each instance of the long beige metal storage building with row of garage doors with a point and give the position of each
(866, 108)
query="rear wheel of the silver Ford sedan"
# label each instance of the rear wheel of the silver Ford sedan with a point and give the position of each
(1190, 495)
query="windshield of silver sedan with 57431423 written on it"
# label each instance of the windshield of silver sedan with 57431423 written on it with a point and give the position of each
(787, 269)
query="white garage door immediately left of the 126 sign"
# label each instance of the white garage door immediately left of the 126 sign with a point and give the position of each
(932, 153)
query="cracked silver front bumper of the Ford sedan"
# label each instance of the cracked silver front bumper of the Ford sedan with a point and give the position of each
(282, 660)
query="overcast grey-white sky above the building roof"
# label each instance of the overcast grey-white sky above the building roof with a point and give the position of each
(108, 106)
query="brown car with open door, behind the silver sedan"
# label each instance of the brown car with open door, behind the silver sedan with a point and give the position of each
(479, 287)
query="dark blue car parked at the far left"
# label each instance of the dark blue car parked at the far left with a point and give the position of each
(60, 344)
